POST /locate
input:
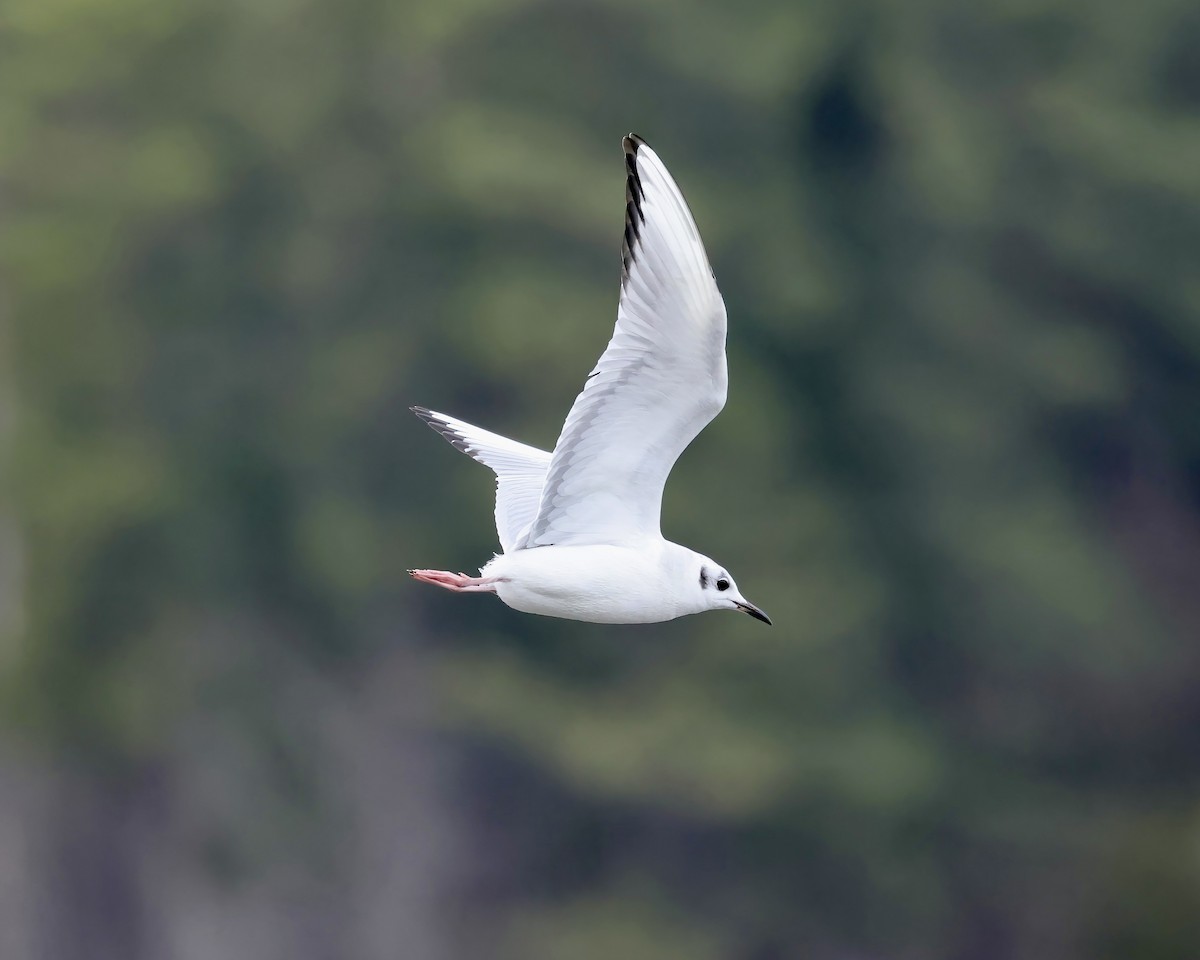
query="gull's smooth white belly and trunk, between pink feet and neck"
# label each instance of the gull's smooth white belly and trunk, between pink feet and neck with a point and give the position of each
(598, 584)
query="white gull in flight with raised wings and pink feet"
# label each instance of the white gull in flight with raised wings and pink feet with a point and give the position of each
(579, 529)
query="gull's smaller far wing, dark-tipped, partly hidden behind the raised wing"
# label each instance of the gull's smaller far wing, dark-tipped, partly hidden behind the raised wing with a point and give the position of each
(520, 471)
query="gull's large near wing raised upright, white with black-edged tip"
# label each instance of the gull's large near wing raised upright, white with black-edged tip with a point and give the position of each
(659, 382)
